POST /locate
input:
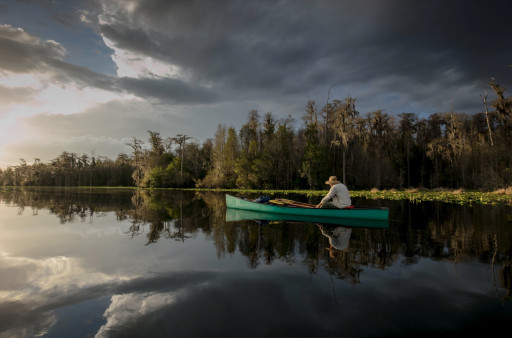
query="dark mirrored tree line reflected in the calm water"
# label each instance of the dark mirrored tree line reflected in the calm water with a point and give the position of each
(432, 230)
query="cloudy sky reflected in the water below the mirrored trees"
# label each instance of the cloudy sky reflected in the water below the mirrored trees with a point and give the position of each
(110, 284)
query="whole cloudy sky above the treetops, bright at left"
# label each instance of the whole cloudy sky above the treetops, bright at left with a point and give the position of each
(86, 76)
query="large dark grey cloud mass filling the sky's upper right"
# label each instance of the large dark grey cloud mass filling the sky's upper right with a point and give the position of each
(291, 46)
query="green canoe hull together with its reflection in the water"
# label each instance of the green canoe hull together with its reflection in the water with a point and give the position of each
(239, 209)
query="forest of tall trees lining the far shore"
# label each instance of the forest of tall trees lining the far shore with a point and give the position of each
(372, 150)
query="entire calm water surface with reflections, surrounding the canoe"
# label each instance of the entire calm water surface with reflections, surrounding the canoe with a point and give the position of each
(121, 263)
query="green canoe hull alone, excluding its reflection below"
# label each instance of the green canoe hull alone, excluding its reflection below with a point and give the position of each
(308, 214)
